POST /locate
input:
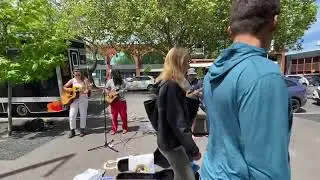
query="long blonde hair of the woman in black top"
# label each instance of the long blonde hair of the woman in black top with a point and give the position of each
(175, 66)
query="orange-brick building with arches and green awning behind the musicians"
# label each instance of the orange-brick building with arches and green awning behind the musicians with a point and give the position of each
(133, 60)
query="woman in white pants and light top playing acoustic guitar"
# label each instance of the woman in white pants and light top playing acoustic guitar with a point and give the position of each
(80, 104)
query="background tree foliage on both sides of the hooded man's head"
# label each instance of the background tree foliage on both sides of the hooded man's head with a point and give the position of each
(163, 24)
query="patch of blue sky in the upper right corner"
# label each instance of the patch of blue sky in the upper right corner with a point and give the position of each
(312, 36)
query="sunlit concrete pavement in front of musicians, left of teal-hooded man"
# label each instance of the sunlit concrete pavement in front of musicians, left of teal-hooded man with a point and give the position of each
(64, 158)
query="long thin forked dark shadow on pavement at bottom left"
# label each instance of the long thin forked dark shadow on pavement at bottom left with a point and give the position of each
(63, 160)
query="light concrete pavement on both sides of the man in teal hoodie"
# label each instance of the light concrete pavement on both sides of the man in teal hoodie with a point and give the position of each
(64, 158)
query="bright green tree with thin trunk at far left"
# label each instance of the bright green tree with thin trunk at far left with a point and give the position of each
(39, 32)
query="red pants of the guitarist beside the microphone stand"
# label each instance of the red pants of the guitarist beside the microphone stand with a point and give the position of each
(119, 107)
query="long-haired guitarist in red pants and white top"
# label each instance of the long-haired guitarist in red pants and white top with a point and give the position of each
(116, 88)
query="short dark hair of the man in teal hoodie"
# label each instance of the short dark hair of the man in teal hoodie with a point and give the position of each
(251, 16)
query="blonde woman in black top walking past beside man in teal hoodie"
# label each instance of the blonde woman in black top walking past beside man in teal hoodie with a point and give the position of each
(174, 135)
